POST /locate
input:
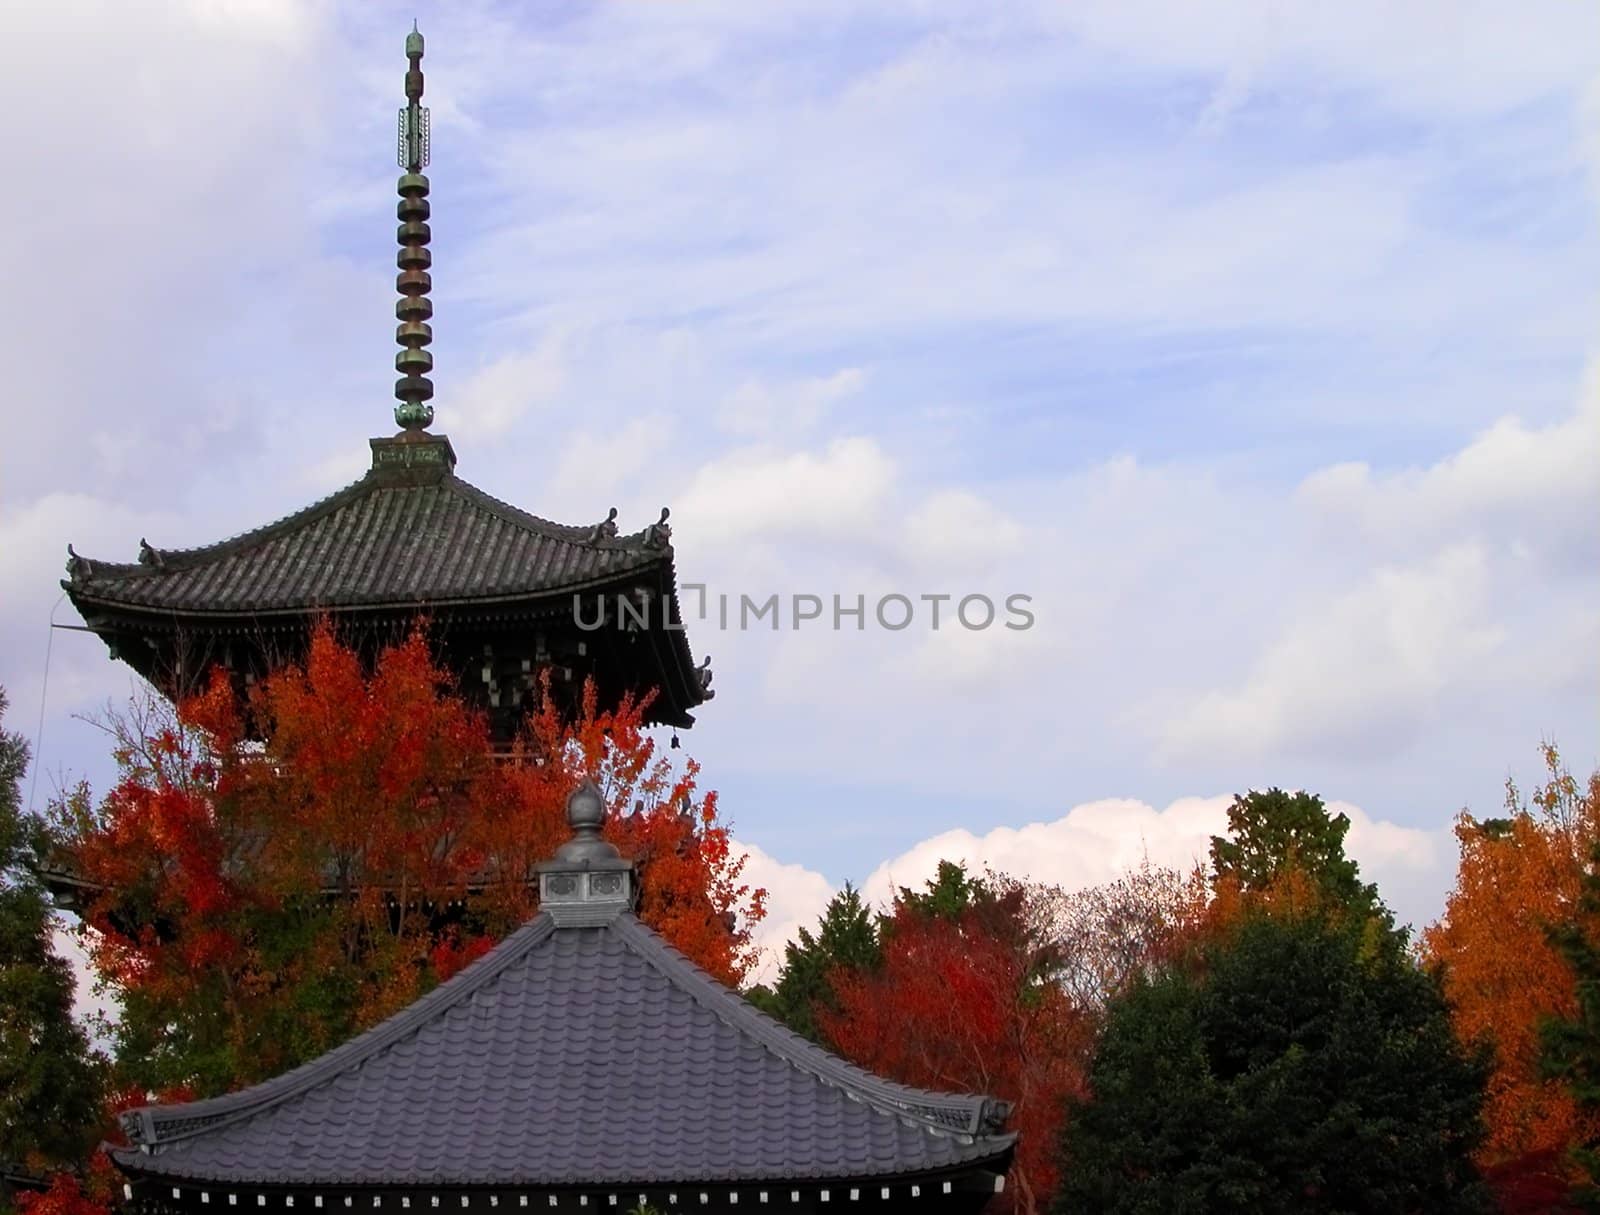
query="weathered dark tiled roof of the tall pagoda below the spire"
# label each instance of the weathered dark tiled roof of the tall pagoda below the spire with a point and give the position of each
(375, 543)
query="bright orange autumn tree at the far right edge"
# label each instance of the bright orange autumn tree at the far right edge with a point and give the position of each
(1519, 878)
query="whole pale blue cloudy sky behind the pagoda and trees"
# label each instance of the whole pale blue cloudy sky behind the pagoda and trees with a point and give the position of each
(1255, 342)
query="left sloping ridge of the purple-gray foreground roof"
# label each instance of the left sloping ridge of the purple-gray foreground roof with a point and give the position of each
(145, 1126)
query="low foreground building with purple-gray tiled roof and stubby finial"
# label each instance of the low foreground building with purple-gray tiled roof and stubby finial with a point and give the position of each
(583, 1065)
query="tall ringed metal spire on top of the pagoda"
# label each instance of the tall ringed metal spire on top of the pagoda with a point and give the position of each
(414, 364)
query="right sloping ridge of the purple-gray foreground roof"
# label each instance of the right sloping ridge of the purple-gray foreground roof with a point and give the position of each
(975, 1113)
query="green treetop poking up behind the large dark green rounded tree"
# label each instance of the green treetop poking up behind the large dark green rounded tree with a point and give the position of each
(1274, 833)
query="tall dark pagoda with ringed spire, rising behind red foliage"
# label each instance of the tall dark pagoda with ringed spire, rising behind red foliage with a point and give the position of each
(513, 601)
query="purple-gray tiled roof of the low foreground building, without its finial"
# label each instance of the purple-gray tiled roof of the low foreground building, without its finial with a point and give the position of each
(574, 1056)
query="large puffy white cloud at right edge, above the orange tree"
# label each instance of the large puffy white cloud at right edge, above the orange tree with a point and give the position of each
(1425, 620)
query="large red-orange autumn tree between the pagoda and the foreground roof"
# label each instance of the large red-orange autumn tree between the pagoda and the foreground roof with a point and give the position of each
(268, 892)
